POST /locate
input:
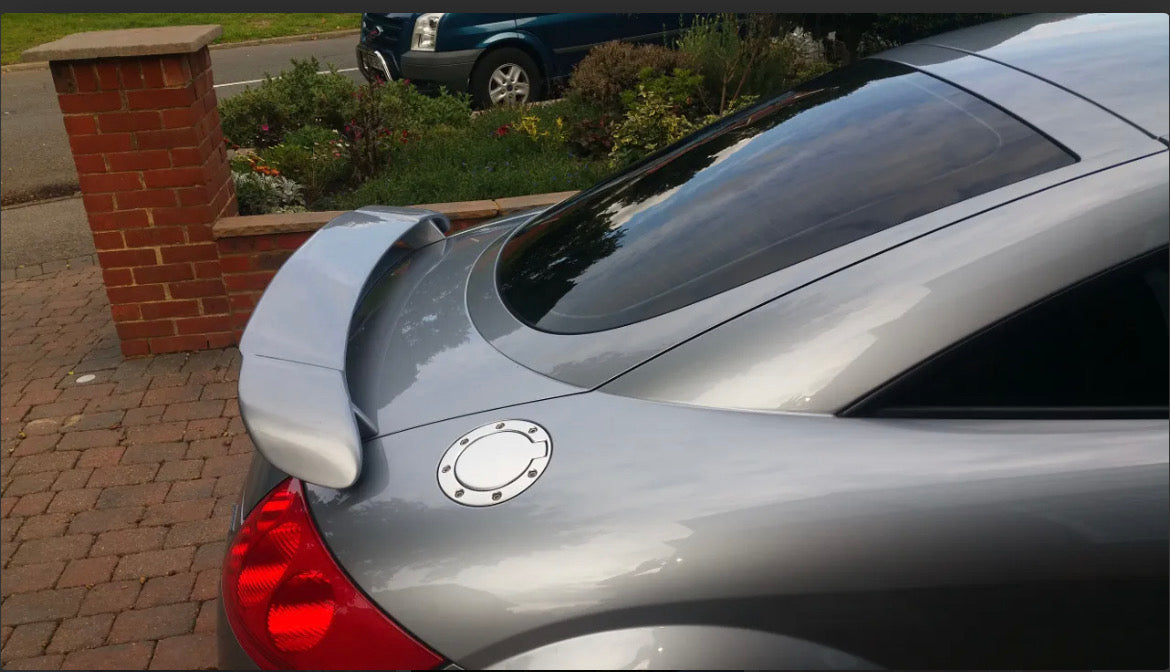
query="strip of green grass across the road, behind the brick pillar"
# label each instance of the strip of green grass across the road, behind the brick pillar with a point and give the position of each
(26, 31)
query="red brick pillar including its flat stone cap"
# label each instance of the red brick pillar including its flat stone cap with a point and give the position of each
(141, 114)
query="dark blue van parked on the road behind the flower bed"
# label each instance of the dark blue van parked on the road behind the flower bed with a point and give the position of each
(497, 58)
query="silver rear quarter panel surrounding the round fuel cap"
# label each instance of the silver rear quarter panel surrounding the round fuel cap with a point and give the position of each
(906, 544)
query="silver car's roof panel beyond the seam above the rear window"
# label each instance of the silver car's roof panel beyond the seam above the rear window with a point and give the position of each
(1120, 63)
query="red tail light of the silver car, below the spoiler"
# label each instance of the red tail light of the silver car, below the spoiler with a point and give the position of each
(292, 607)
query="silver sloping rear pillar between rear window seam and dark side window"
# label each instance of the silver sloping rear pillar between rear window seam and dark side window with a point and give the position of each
(838, 339)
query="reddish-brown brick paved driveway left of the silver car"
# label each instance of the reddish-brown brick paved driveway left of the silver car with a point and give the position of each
(116, 492)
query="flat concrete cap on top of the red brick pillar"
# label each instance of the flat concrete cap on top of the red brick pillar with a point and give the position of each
(126, 44)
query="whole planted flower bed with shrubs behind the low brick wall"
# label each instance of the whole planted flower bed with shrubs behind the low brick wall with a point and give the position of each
(321, 142)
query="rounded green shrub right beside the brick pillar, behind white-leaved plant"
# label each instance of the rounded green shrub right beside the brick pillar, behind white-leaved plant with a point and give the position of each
(299, 98)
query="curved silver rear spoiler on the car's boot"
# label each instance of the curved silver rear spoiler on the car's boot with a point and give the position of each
(294, 397)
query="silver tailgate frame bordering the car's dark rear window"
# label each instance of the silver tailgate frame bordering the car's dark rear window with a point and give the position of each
(1097, 138)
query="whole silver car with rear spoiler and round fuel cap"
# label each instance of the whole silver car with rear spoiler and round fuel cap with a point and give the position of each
(872, 375)
